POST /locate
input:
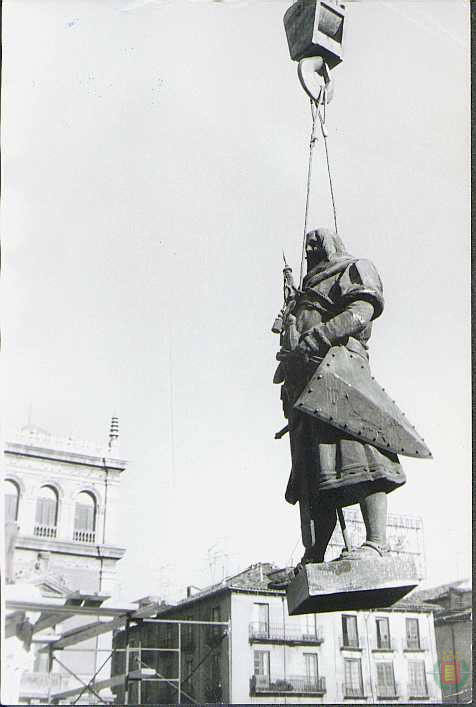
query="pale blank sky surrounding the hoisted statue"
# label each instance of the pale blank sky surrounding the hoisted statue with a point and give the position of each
(154, 169)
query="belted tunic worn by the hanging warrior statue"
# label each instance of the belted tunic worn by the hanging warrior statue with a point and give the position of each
(329, 466)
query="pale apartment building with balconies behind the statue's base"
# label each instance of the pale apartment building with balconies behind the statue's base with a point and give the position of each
(269, 657)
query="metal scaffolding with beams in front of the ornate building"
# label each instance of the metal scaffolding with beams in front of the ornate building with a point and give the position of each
(137, 670)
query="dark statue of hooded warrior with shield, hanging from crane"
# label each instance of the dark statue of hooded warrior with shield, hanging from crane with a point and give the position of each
(344, 430)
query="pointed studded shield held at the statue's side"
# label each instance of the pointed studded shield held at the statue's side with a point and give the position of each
(343, 394)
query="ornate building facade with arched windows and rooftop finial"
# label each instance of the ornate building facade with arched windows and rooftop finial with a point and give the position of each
(61, 499)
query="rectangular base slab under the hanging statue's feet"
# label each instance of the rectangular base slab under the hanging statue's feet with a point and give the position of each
(351, 584)
